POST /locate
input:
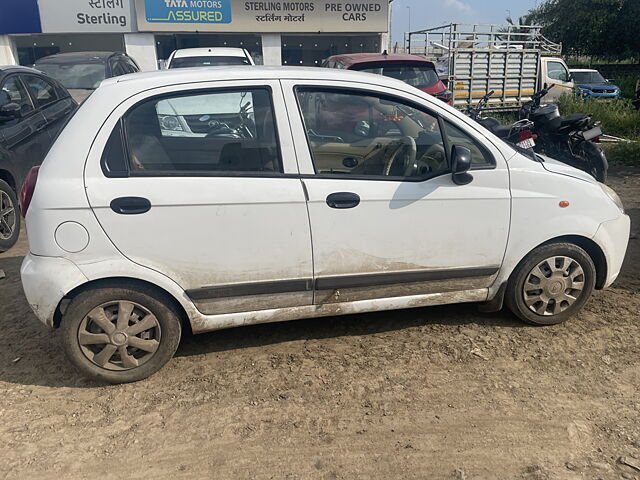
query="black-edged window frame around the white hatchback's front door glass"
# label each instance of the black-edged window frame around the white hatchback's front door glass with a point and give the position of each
(385, 178)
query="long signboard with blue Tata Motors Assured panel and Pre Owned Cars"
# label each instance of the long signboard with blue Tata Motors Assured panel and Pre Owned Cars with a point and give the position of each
(263, 16)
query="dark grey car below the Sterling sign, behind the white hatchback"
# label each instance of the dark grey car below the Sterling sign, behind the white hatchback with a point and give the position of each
(82, 72)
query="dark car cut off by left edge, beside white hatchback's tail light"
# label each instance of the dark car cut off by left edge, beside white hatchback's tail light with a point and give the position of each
(33, 109)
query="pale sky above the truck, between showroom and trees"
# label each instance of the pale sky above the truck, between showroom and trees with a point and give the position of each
(433, 13)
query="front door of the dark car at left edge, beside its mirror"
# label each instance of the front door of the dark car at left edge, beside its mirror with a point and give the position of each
(23, 135)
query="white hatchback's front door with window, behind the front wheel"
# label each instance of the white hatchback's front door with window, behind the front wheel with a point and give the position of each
(387, 220)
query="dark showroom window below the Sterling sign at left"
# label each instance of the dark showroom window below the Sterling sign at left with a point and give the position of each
(32, 47)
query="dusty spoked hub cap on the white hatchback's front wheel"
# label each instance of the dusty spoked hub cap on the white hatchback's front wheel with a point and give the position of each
(553, 285)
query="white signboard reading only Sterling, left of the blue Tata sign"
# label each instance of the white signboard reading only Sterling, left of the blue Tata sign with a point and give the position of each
(86, 16)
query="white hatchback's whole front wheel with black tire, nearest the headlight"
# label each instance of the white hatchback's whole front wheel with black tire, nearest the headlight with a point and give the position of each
(551, 284)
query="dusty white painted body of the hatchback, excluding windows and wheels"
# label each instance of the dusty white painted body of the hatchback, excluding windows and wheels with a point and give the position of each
(226, 230)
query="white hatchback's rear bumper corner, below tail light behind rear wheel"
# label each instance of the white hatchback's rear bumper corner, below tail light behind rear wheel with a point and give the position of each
(46, 280)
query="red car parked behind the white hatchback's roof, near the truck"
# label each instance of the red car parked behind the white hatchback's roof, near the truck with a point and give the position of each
(411, 69)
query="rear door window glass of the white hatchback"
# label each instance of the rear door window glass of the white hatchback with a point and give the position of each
(205, 133)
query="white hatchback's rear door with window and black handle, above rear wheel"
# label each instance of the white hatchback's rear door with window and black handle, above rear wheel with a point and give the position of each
(205, 190)
